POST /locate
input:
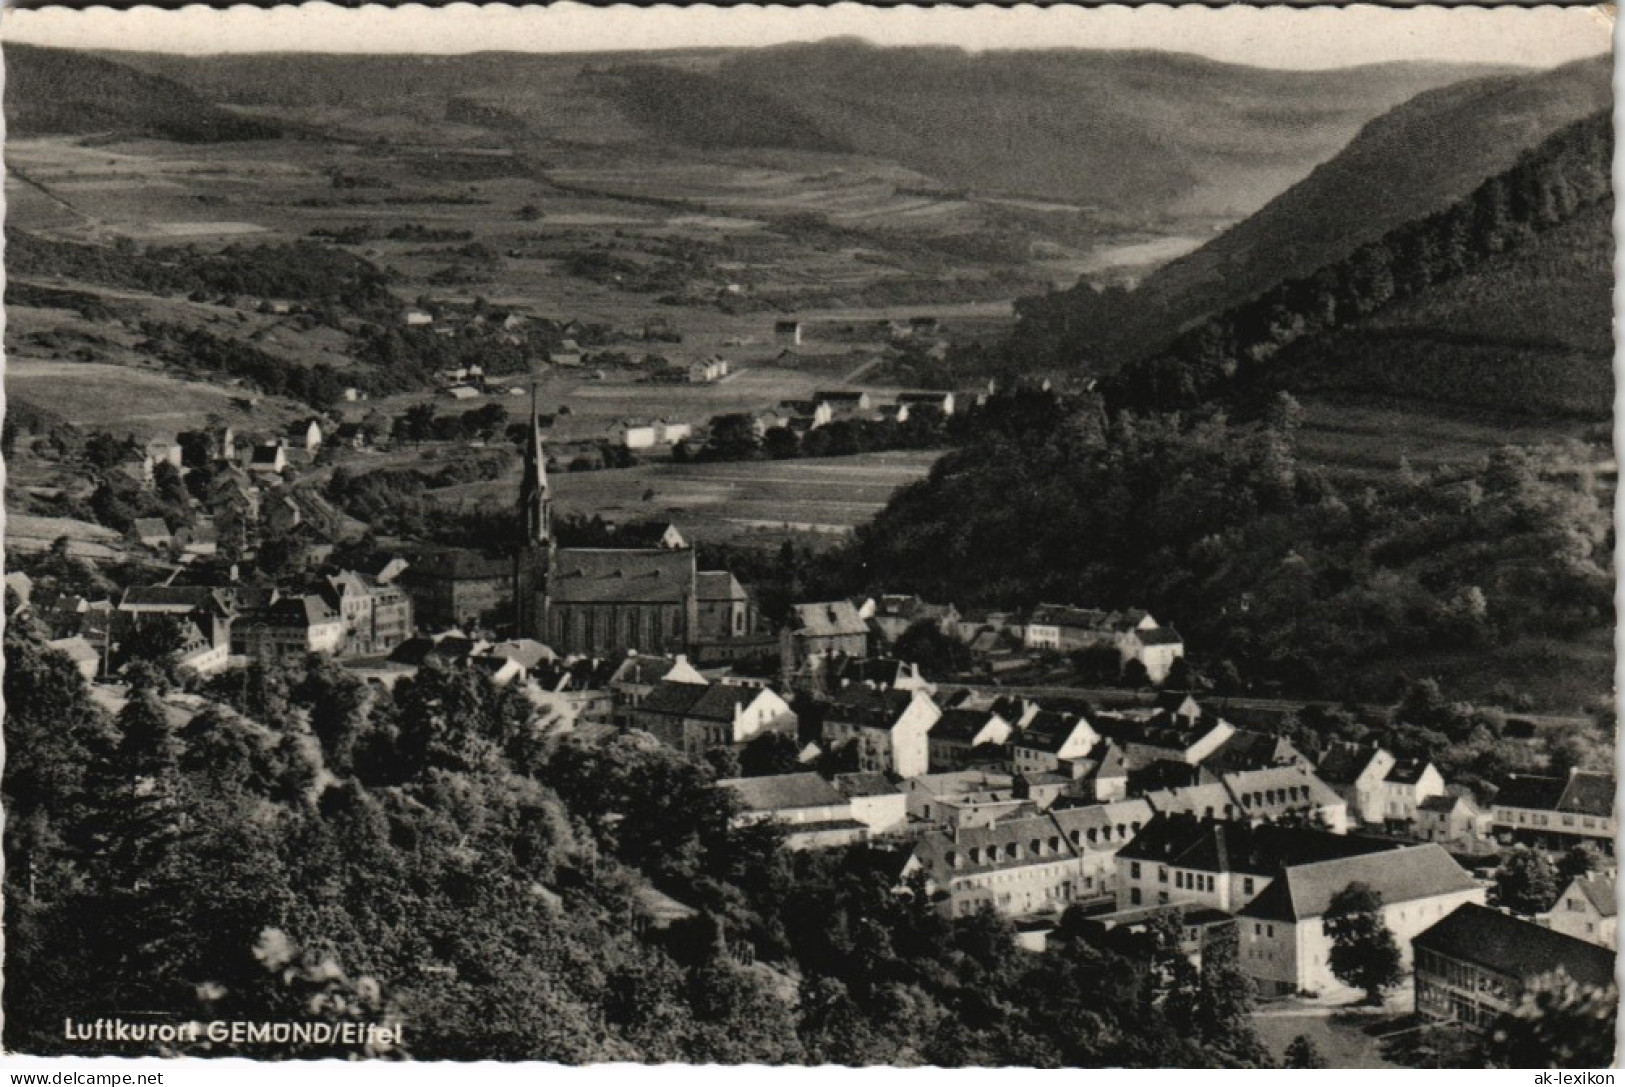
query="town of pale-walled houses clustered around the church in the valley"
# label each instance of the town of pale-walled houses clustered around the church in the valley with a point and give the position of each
(1107, 810)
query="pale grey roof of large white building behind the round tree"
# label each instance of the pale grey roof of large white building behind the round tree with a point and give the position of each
(1403, 875)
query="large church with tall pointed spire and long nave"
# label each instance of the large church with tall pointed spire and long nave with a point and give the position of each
(596, 602)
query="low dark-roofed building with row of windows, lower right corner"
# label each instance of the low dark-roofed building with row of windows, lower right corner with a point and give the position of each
(1475, 964)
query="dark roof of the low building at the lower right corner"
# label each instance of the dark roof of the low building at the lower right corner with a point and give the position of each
(1501, 943)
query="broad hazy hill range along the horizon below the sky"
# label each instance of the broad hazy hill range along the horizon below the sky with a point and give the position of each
(1132, 137)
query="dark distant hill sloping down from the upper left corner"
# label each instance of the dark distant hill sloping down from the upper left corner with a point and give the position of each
(56, 92)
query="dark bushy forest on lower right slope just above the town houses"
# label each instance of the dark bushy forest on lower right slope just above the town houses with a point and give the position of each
(1257, 558)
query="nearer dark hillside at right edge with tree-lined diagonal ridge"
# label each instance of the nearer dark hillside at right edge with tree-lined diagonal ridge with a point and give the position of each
(1502, 301)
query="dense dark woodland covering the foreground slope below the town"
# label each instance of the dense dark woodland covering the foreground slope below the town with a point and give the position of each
(310, 847)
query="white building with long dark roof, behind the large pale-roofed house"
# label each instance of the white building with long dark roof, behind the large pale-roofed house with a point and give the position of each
(1221, 864)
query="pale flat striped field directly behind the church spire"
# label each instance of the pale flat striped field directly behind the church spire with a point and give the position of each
(729, 501)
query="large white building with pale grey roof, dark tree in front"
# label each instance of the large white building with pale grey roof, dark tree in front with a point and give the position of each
(1285, 946)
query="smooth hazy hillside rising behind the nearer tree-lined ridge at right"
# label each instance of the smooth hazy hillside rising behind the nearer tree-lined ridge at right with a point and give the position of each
(1416, 160)
